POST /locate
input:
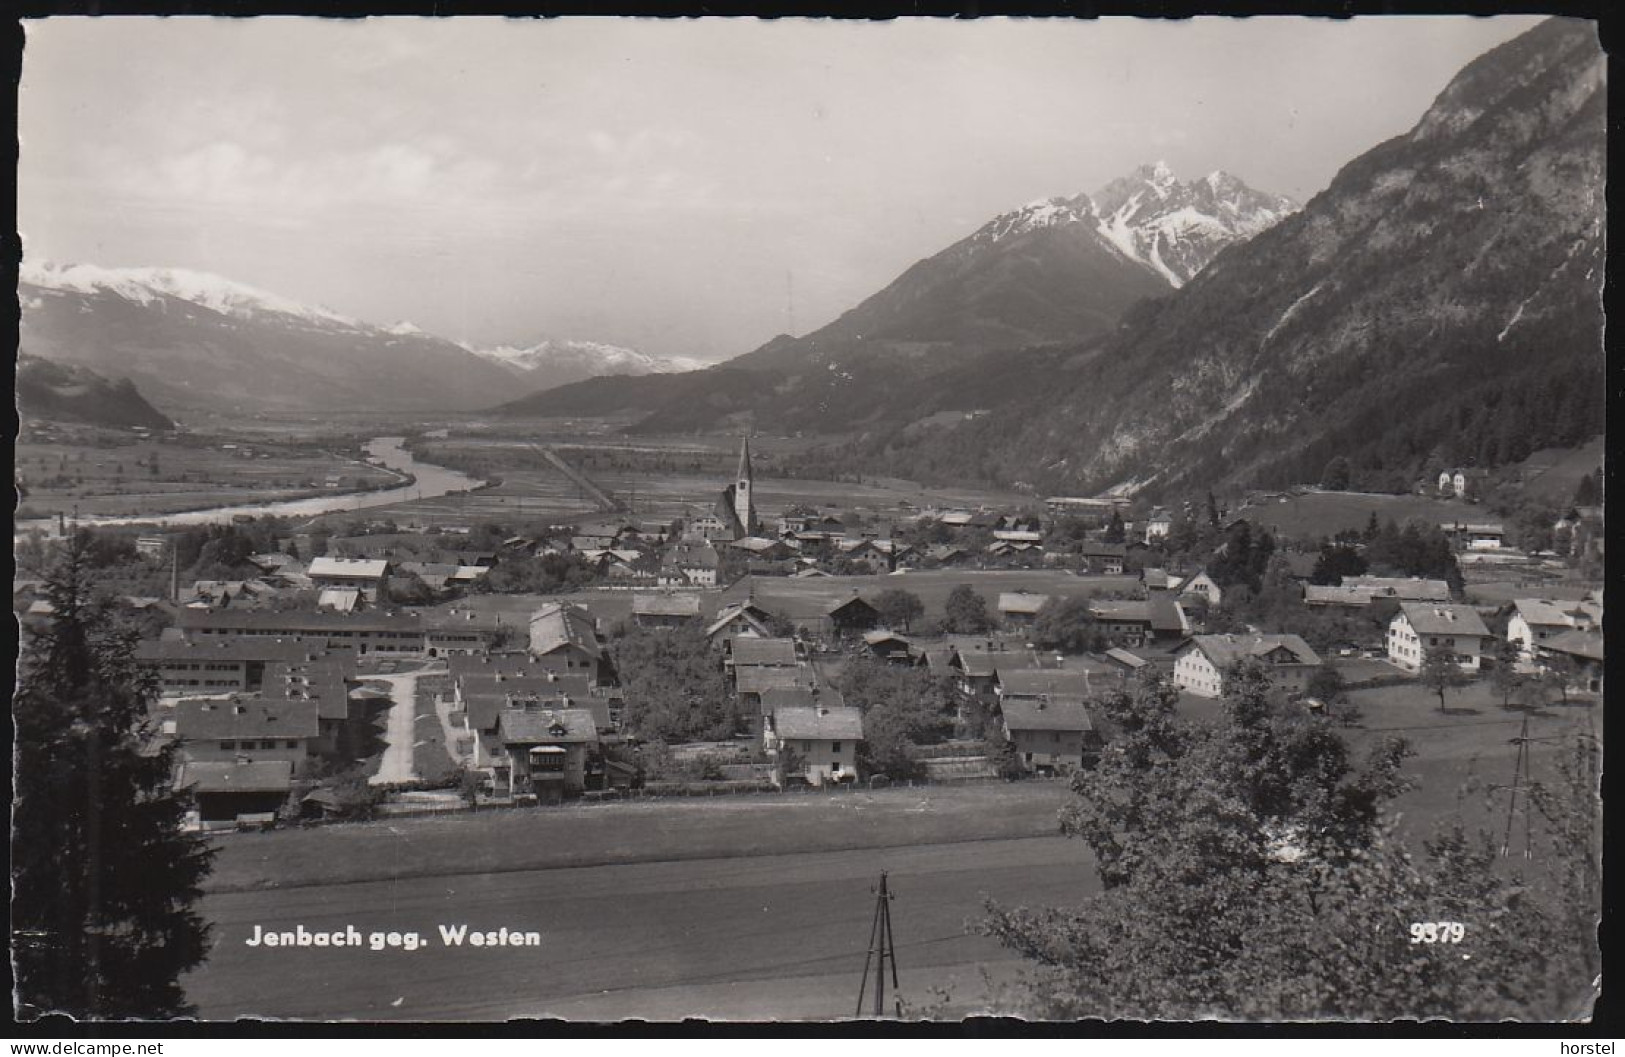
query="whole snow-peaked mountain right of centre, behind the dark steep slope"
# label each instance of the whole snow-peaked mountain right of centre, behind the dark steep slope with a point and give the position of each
(1051, 272)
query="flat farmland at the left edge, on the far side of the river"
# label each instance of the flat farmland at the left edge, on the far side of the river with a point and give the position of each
(155, 477)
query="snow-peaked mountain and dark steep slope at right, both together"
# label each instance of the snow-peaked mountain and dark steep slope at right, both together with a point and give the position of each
(1441, 302)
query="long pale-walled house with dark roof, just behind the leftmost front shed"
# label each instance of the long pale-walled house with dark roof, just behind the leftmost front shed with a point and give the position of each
(248, 728)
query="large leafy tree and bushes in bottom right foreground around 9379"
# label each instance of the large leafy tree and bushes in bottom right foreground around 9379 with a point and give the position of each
(1250, 871)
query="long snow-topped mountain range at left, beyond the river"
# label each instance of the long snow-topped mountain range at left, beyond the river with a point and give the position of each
(193, 339)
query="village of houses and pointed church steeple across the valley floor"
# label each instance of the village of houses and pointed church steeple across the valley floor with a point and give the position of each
(409, 669)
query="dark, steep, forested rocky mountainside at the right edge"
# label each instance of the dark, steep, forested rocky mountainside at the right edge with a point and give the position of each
(1441, 300)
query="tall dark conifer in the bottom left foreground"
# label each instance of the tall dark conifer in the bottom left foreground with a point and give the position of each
(105, 881)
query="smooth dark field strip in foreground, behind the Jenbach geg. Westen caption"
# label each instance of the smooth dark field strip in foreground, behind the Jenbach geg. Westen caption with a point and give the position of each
(737, 939)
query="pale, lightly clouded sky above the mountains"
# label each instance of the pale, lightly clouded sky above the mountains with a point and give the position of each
(659, 183)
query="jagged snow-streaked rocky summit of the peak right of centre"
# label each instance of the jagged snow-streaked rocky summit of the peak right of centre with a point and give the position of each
(1155, 220)
